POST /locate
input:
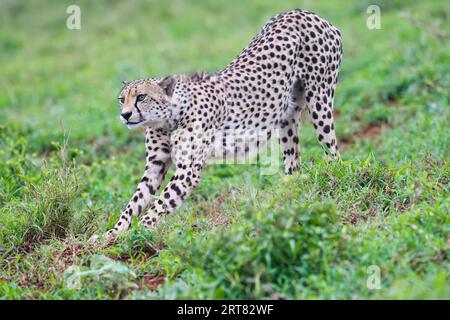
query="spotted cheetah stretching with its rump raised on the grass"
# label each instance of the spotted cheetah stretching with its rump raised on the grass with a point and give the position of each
(292, 65)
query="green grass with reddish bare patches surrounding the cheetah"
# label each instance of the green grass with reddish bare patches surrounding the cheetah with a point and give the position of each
(68, 166)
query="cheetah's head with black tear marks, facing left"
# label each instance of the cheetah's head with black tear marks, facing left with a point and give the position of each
(146, 101)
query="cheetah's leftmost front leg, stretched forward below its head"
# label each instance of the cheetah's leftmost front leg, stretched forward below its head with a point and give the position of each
(158, 161)
